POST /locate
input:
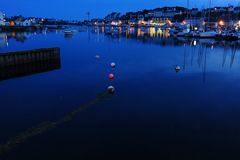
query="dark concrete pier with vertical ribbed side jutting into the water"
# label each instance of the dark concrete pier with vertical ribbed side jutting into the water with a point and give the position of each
(18, 64)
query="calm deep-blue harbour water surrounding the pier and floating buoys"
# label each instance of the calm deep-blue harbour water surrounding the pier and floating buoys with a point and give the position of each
(155, 113)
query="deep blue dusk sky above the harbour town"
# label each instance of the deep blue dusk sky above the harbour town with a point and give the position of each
(76, 9)
